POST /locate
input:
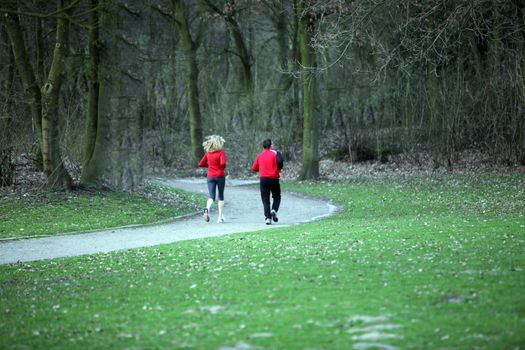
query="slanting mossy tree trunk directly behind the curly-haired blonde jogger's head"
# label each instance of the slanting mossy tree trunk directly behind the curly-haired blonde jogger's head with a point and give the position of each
(192, 78)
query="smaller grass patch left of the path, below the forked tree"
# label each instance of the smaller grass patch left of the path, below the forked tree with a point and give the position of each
(59, 212)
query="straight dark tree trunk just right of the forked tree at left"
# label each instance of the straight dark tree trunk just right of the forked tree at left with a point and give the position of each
(90, 175)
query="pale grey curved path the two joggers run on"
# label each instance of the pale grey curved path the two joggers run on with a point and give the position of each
(243, 213)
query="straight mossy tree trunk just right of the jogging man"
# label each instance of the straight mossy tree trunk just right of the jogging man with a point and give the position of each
(310, 164)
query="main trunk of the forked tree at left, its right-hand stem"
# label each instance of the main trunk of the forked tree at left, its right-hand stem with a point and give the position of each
(54, 170)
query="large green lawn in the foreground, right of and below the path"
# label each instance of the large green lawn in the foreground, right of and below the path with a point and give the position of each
(412, 262)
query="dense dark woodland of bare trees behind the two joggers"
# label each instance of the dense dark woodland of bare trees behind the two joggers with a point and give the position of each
(100, 92)
